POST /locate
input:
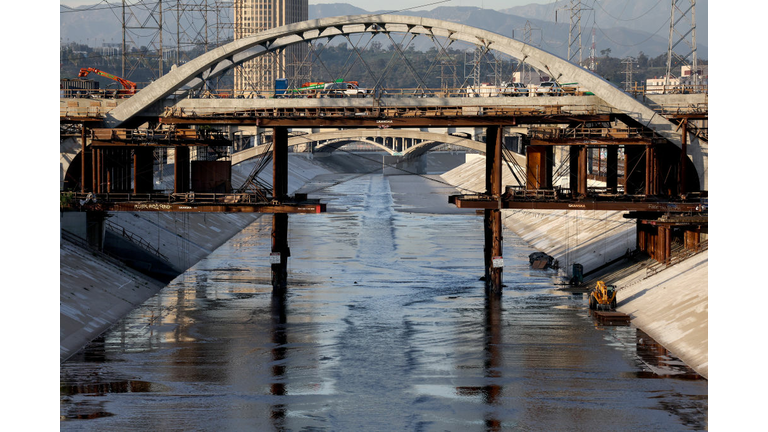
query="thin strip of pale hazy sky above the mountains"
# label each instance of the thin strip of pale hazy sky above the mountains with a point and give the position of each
(390, 4)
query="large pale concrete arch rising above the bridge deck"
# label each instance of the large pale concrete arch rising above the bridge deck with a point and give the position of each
(219, 60)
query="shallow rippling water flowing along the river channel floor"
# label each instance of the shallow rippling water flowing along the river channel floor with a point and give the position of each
(385, 327)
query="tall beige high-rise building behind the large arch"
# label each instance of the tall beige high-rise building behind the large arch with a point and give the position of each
(254, 16)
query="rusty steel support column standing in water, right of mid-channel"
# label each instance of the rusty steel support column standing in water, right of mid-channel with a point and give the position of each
(492, 217)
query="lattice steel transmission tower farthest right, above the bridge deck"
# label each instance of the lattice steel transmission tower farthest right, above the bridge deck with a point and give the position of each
(682, 28)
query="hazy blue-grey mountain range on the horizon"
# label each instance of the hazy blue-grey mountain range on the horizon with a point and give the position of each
(624, 27)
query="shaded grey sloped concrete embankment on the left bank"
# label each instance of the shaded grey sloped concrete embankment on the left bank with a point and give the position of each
(96, 291)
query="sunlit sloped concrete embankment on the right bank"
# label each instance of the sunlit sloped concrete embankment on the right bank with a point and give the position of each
(671, 306)
